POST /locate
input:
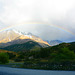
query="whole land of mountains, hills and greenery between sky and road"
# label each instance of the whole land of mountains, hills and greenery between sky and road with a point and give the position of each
(24, 50)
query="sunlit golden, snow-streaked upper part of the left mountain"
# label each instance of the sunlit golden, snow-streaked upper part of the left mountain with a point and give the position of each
(13, 35)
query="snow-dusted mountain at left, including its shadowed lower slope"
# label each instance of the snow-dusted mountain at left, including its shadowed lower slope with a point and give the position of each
(10, 37)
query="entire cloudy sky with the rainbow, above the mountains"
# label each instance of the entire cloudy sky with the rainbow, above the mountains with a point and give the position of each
(48, 19)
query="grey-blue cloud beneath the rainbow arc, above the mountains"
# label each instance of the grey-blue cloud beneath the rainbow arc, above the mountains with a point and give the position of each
(46, 32)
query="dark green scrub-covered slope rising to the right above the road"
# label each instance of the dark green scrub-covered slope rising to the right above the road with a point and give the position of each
(60, 57)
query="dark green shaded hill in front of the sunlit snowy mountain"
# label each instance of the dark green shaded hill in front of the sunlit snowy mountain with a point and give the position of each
(30, 45)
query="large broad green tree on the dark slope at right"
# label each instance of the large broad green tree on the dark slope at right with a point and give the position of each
(64, 54)
